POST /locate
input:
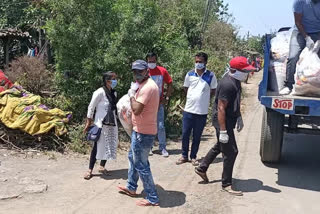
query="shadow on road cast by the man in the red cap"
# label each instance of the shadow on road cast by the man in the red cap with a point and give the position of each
(253, 185)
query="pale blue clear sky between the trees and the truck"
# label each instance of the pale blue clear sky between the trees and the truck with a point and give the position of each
(261, 17)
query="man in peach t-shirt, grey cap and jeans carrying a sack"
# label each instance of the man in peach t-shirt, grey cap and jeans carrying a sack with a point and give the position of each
(144, 98)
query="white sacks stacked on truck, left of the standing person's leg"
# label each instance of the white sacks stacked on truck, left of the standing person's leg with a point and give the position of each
(279, 52)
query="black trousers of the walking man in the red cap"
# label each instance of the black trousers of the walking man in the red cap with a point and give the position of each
(229, 151)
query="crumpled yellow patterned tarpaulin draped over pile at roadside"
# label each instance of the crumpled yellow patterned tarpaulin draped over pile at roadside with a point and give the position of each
(23, 110)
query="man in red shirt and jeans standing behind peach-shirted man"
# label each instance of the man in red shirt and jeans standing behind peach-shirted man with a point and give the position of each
(161, 76)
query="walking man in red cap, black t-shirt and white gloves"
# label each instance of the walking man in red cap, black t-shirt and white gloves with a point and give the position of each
(225, 117)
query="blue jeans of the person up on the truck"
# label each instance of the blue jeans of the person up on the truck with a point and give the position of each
(297, 44)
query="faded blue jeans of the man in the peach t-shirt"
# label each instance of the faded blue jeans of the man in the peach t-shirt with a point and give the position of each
(139, 165)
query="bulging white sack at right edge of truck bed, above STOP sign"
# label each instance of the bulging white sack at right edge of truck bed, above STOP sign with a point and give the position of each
(307, 77)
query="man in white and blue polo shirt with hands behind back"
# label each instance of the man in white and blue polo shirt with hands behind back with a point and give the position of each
(199, 85)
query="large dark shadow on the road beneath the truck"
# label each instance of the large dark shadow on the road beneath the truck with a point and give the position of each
(300, 162)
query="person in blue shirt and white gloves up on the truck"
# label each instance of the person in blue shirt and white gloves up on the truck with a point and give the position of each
(305, 34)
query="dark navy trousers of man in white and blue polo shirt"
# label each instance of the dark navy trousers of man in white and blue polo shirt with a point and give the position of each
(196, 124)
